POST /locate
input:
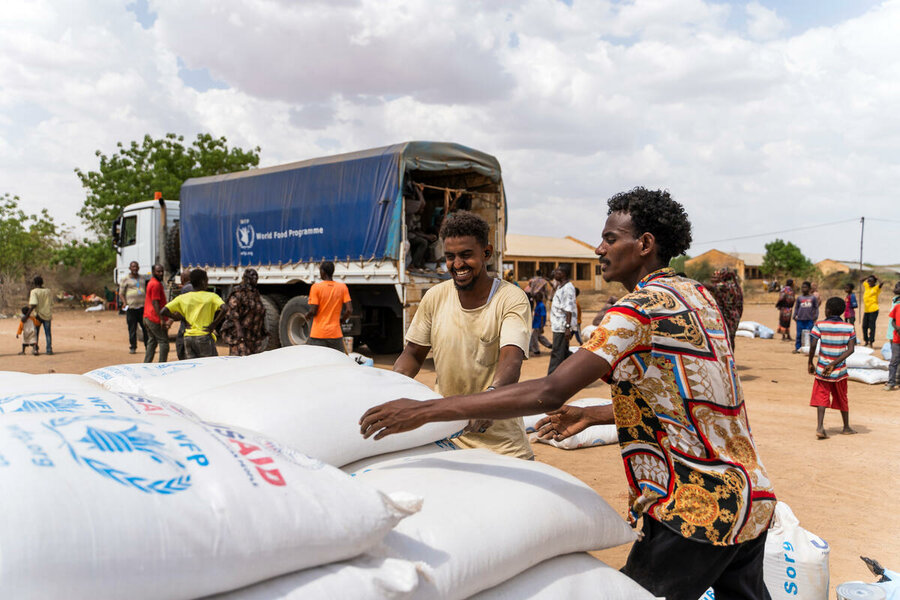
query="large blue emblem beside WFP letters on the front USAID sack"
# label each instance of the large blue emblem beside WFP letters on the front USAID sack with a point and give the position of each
(123, 450)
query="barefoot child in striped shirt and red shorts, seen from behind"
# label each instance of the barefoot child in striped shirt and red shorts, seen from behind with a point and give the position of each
(838, 340)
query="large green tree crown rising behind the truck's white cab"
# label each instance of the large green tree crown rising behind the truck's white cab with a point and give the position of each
(139, 169)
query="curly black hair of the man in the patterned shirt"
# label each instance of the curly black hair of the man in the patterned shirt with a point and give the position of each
(654, 211)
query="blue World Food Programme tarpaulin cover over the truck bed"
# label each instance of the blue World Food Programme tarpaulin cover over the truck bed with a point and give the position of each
(340, 207)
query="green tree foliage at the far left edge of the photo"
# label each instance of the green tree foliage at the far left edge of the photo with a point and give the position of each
(27, 241)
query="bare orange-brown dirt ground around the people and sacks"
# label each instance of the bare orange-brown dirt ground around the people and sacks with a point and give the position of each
(839, 488)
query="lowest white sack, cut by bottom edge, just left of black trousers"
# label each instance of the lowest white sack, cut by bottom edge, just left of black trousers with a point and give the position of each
(577, 576)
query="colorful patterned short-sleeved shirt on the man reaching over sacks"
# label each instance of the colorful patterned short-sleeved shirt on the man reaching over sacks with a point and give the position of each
(690, 460)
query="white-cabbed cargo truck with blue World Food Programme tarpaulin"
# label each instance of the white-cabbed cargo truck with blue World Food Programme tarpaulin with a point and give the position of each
(351, 209)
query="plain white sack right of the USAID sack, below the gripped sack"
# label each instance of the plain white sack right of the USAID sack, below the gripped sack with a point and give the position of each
(486, 518)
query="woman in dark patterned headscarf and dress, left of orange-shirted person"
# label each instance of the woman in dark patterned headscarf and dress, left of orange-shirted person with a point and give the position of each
(244, 329)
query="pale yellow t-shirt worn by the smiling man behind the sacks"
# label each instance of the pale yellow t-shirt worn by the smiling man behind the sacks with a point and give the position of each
(466, 345)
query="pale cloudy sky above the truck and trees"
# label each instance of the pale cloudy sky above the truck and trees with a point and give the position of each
(759, 116)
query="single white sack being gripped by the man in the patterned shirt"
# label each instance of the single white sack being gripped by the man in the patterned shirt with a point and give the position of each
(317, 410)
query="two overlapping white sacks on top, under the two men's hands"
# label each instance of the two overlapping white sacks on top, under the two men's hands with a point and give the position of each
(306, 397)
